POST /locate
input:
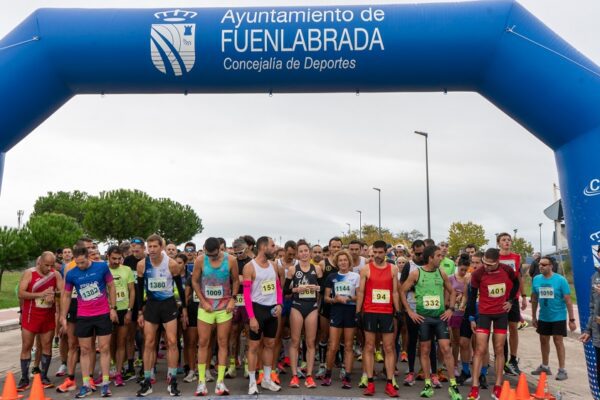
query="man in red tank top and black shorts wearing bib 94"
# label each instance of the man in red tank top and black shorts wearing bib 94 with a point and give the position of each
(377, 299)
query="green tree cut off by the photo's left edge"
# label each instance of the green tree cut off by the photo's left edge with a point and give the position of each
(14, 250)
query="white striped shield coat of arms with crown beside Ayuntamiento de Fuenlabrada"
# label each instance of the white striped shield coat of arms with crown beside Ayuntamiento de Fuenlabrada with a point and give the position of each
(172, 42)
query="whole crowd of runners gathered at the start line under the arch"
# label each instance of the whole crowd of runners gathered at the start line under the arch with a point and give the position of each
(281, 315)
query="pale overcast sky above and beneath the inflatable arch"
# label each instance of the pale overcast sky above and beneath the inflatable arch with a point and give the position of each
(313, 158)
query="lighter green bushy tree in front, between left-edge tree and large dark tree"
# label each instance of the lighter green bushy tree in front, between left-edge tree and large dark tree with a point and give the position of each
(50, 231)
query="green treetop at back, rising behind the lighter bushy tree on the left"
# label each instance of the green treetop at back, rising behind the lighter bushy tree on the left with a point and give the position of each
(72, 204)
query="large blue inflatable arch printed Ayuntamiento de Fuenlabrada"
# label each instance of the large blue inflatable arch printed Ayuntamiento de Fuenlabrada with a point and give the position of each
(495, 48)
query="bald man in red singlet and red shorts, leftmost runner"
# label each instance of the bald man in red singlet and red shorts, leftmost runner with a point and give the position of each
(37, 290)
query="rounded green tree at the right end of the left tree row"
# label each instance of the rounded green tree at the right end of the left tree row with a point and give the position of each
(177, 223)
